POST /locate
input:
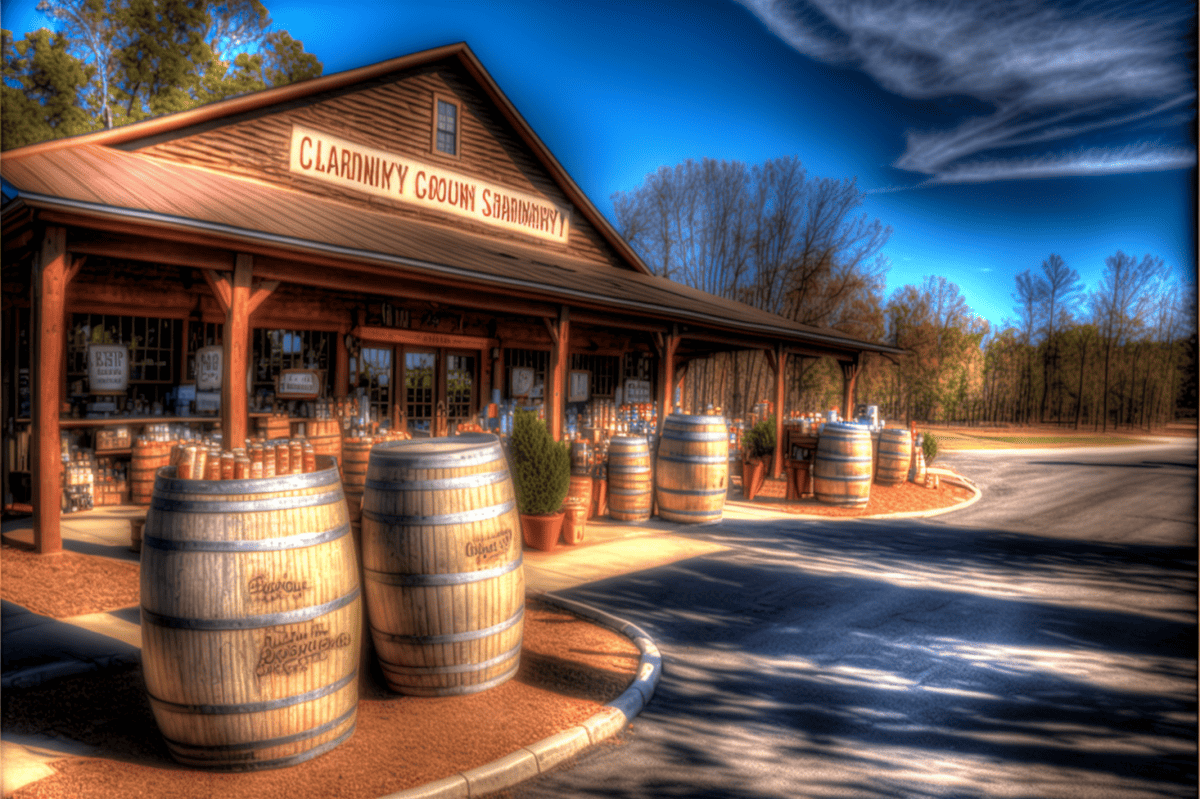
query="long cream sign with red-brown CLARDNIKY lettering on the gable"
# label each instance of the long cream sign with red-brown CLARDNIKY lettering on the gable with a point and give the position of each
(358, 167)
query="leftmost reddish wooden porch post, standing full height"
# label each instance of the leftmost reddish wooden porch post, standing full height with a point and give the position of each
(50, 309)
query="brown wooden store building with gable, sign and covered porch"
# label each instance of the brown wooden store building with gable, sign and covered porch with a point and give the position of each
(398, 230)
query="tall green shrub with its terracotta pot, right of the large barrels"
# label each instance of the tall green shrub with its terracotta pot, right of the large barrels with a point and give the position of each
(542, 477)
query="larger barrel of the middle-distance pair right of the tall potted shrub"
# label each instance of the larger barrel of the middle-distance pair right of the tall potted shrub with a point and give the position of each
(693, 468)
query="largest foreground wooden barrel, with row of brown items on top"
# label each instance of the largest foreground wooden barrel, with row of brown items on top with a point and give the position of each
(251, 616)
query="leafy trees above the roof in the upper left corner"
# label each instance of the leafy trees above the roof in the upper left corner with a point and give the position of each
(119, 62)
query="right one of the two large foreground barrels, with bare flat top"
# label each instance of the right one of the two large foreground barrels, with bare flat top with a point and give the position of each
(442, 563)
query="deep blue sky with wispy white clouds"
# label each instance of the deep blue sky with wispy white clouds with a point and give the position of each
(988, 135)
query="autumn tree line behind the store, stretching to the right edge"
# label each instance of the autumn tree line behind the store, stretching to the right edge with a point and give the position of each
(1121, 355)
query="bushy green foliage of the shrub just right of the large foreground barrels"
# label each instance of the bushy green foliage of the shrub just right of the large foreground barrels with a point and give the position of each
(542, 467)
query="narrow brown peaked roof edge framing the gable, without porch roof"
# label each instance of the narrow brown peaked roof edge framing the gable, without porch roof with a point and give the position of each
(129, 136)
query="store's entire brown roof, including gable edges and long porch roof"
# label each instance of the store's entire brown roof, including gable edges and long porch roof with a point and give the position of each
(99, 177)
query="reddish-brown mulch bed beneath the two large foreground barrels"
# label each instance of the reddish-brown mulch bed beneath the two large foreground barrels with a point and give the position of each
(569, 669)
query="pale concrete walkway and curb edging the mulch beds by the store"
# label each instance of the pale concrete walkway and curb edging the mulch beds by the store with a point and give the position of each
(35, 648)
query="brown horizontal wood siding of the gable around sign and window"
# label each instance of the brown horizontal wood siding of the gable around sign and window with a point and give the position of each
(392, 115)
